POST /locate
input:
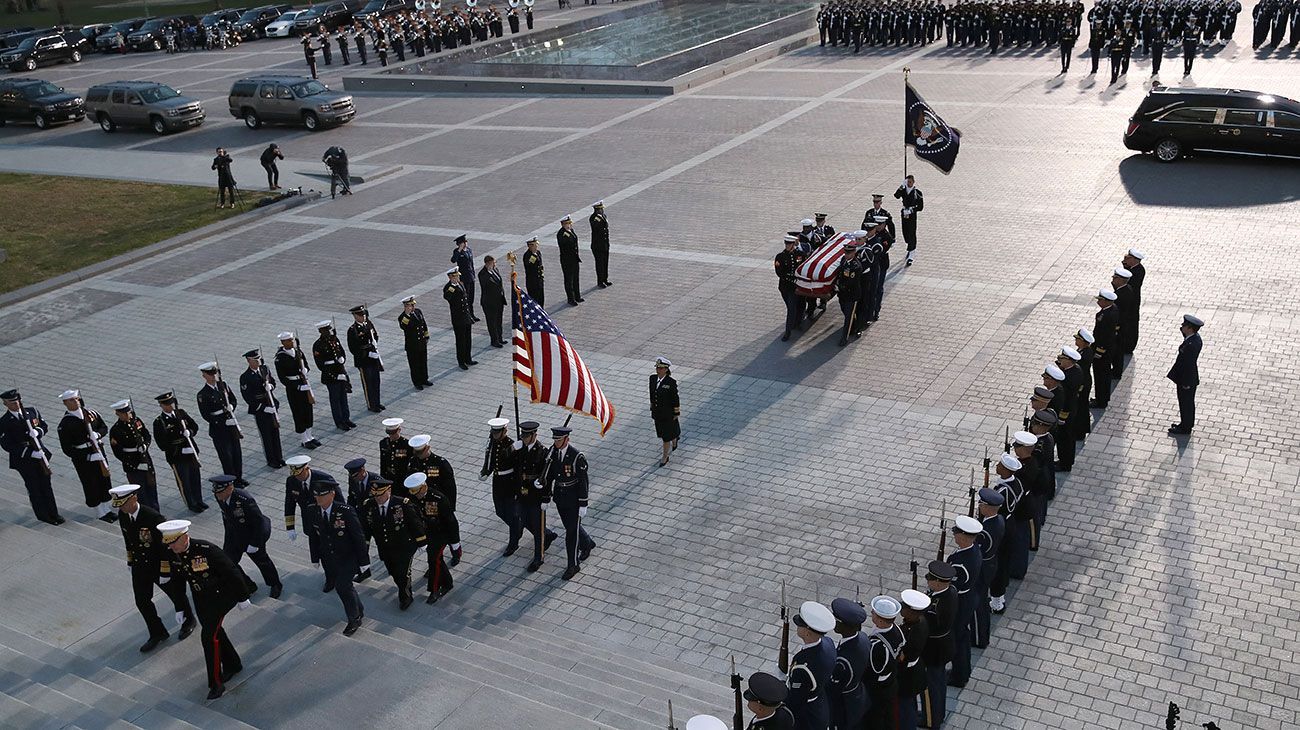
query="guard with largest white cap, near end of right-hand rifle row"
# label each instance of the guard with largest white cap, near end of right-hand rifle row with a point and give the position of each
(812, 668)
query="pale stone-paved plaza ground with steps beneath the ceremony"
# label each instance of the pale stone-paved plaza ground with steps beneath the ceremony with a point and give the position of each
(1168, 567)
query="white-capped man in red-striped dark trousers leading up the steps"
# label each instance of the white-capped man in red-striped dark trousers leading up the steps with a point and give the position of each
(218, 586)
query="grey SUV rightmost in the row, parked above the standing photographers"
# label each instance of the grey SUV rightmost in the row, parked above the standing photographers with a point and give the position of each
(291, 101)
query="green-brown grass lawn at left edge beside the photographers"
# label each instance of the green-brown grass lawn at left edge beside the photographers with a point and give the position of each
(54, 225)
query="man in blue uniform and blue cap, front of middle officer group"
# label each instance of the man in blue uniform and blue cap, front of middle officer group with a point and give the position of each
(343, 549)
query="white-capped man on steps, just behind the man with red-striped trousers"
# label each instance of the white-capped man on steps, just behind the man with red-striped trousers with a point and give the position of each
(150, 566)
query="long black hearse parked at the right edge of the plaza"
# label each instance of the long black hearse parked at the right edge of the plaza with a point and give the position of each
(1173, 123)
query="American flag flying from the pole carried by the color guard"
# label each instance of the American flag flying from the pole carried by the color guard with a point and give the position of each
(549, 367)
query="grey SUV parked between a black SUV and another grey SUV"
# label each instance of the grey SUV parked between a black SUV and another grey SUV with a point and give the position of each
(142, 105)
